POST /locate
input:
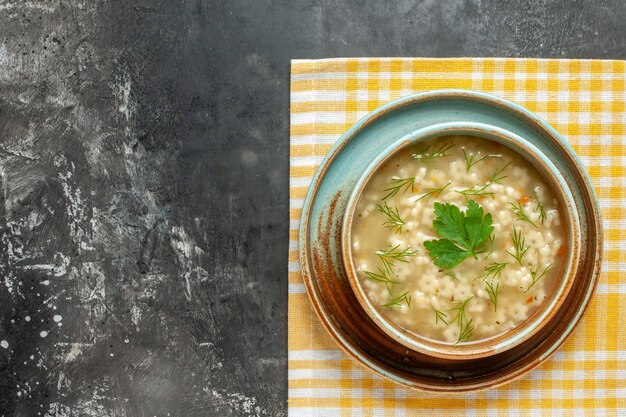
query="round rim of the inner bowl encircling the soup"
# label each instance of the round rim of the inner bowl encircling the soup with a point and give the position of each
(560, 289)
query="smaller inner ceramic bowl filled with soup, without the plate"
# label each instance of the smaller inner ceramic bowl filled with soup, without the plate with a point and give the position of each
(460, 240)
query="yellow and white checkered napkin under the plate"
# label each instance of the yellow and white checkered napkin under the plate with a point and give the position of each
(585, 102)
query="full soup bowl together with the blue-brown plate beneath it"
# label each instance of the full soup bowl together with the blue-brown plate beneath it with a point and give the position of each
(450, 241)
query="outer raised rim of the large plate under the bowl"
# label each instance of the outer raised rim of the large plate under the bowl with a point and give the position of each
(529, 119)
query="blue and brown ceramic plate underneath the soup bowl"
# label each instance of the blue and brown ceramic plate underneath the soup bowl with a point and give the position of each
(320, 238)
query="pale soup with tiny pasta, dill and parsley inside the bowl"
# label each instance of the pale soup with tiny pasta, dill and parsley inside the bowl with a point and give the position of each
(458, 239)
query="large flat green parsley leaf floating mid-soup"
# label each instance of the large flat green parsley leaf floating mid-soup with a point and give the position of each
(462, 232)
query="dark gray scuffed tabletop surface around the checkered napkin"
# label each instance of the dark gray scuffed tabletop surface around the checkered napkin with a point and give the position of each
(144, 169)
